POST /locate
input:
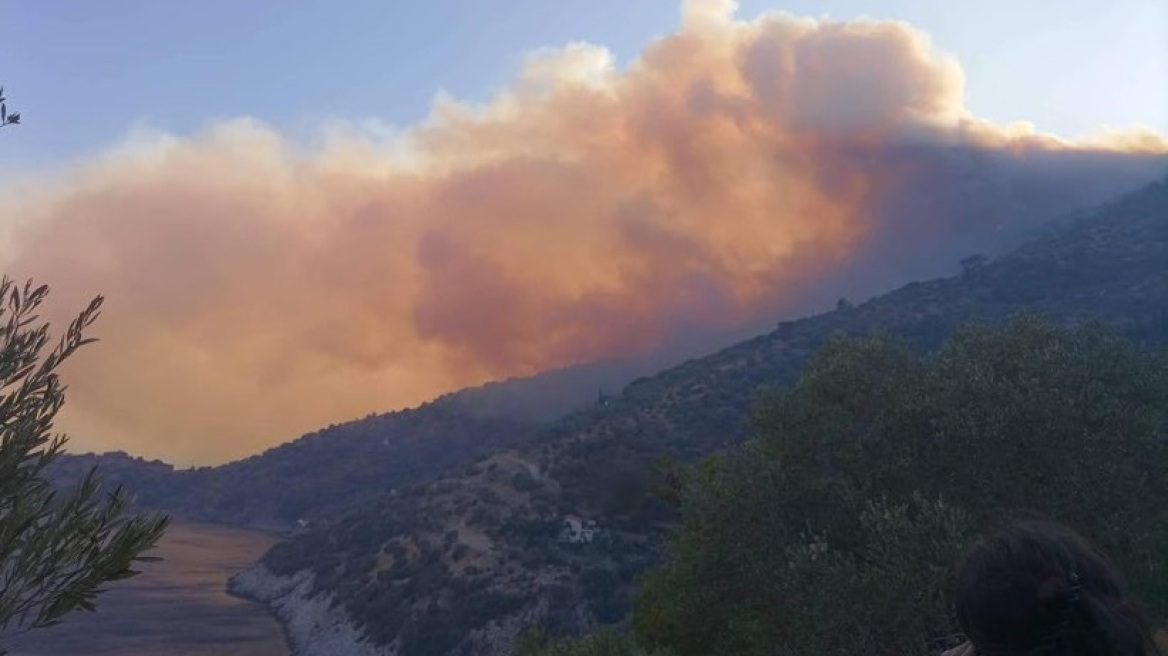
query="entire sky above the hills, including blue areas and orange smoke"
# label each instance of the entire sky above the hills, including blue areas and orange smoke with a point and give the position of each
(293, 232)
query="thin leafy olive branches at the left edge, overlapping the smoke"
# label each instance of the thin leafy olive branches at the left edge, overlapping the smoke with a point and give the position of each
(57, 550)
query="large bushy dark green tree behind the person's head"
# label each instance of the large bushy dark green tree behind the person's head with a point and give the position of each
(836, 529)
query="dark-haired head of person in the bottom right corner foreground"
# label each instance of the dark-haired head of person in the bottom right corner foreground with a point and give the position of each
(1037, 588)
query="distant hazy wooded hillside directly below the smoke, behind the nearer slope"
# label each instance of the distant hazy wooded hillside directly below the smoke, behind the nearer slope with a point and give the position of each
(342, 466)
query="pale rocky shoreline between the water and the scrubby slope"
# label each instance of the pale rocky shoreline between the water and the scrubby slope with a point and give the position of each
(315, 624)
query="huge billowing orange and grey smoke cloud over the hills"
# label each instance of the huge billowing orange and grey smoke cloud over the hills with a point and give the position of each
(736, 171)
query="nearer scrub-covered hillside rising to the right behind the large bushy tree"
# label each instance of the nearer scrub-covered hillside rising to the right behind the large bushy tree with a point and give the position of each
(427, 568)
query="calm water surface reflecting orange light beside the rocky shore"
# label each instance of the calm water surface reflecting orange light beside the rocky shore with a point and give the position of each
(179, 606)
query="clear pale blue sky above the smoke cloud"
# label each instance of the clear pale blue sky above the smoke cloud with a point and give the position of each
(84, 73)
